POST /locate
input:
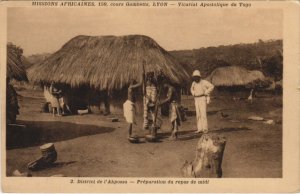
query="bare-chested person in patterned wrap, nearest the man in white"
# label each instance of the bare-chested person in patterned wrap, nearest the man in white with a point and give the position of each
(175, 119)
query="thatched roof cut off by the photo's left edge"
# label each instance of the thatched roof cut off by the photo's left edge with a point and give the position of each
(15, 68)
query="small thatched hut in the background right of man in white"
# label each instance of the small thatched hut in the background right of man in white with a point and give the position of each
(234, 78)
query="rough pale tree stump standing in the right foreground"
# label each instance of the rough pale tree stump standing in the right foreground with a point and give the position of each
(208, 160)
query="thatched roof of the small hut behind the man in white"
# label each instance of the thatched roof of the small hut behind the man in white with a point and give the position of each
(234, 76)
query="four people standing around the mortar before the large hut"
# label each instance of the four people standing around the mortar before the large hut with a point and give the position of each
(152, 89)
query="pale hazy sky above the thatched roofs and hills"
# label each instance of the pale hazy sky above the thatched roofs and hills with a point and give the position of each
(46, 30)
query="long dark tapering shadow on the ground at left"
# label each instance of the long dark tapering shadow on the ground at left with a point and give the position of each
(39, 132)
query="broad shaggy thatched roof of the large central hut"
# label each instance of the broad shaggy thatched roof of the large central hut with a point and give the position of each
(107, 62)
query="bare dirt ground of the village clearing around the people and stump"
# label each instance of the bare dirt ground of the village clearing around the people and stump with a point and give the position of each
(91, 145)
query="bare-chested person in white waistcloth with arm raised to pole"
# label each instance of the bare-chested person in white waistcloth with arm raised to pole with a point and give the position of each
(129, 106)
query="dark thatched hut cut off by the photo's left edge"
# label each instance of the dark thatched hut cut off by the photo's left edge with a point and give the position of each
(15, 70)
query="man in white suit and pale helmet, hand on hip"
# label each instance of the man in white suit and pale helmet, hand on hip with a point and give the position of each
(201, 90)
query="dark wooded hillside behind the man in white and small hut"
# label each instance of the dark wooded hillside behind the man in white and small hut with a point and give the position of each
(245, 55)
